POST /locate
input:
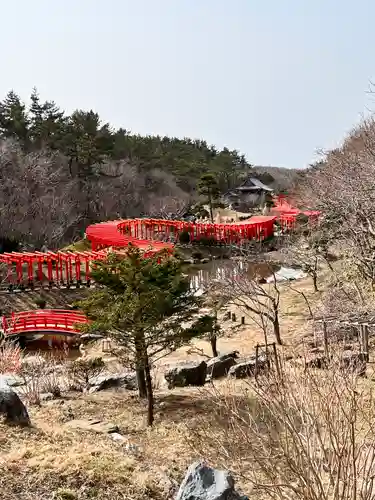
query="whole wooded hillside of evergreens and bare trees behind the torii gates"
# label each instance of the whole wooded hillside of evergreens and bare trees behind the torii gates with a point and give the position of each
(60, 172)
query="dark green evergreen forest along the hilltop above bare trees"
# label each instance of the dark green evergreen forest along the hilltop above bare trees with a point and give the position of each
(86, 140)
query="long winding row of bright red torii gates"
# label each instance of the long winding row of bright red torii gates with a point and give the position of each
(68, 268)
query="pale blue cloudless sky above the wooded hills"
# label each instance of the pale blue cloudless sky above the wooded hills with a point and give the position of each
(276, 79)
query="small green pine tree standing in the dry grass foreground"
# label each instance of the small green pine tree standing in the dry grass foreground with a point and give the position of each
(146, 305)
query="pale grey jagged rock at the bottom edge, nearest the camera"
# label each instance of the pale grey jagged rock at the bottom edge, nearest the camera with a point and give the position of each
(205, 483)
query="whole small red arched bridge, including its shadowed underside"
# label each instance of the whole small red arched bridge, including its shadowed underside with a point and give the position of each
(54, 325)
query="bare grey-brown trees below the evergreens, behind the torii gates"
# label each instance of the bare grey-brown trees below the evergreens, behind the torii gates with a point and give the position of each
(41, 204)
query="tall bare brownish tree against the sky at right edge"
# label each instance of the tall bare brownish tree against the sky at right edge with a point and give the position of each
(342, 185)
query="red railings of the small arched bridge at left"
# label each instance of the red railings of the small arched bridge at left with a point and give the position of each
(43, 320)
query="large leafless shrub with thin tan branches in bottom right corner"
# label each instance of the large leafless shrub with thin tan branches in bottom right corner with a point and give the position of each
(303, 435)
